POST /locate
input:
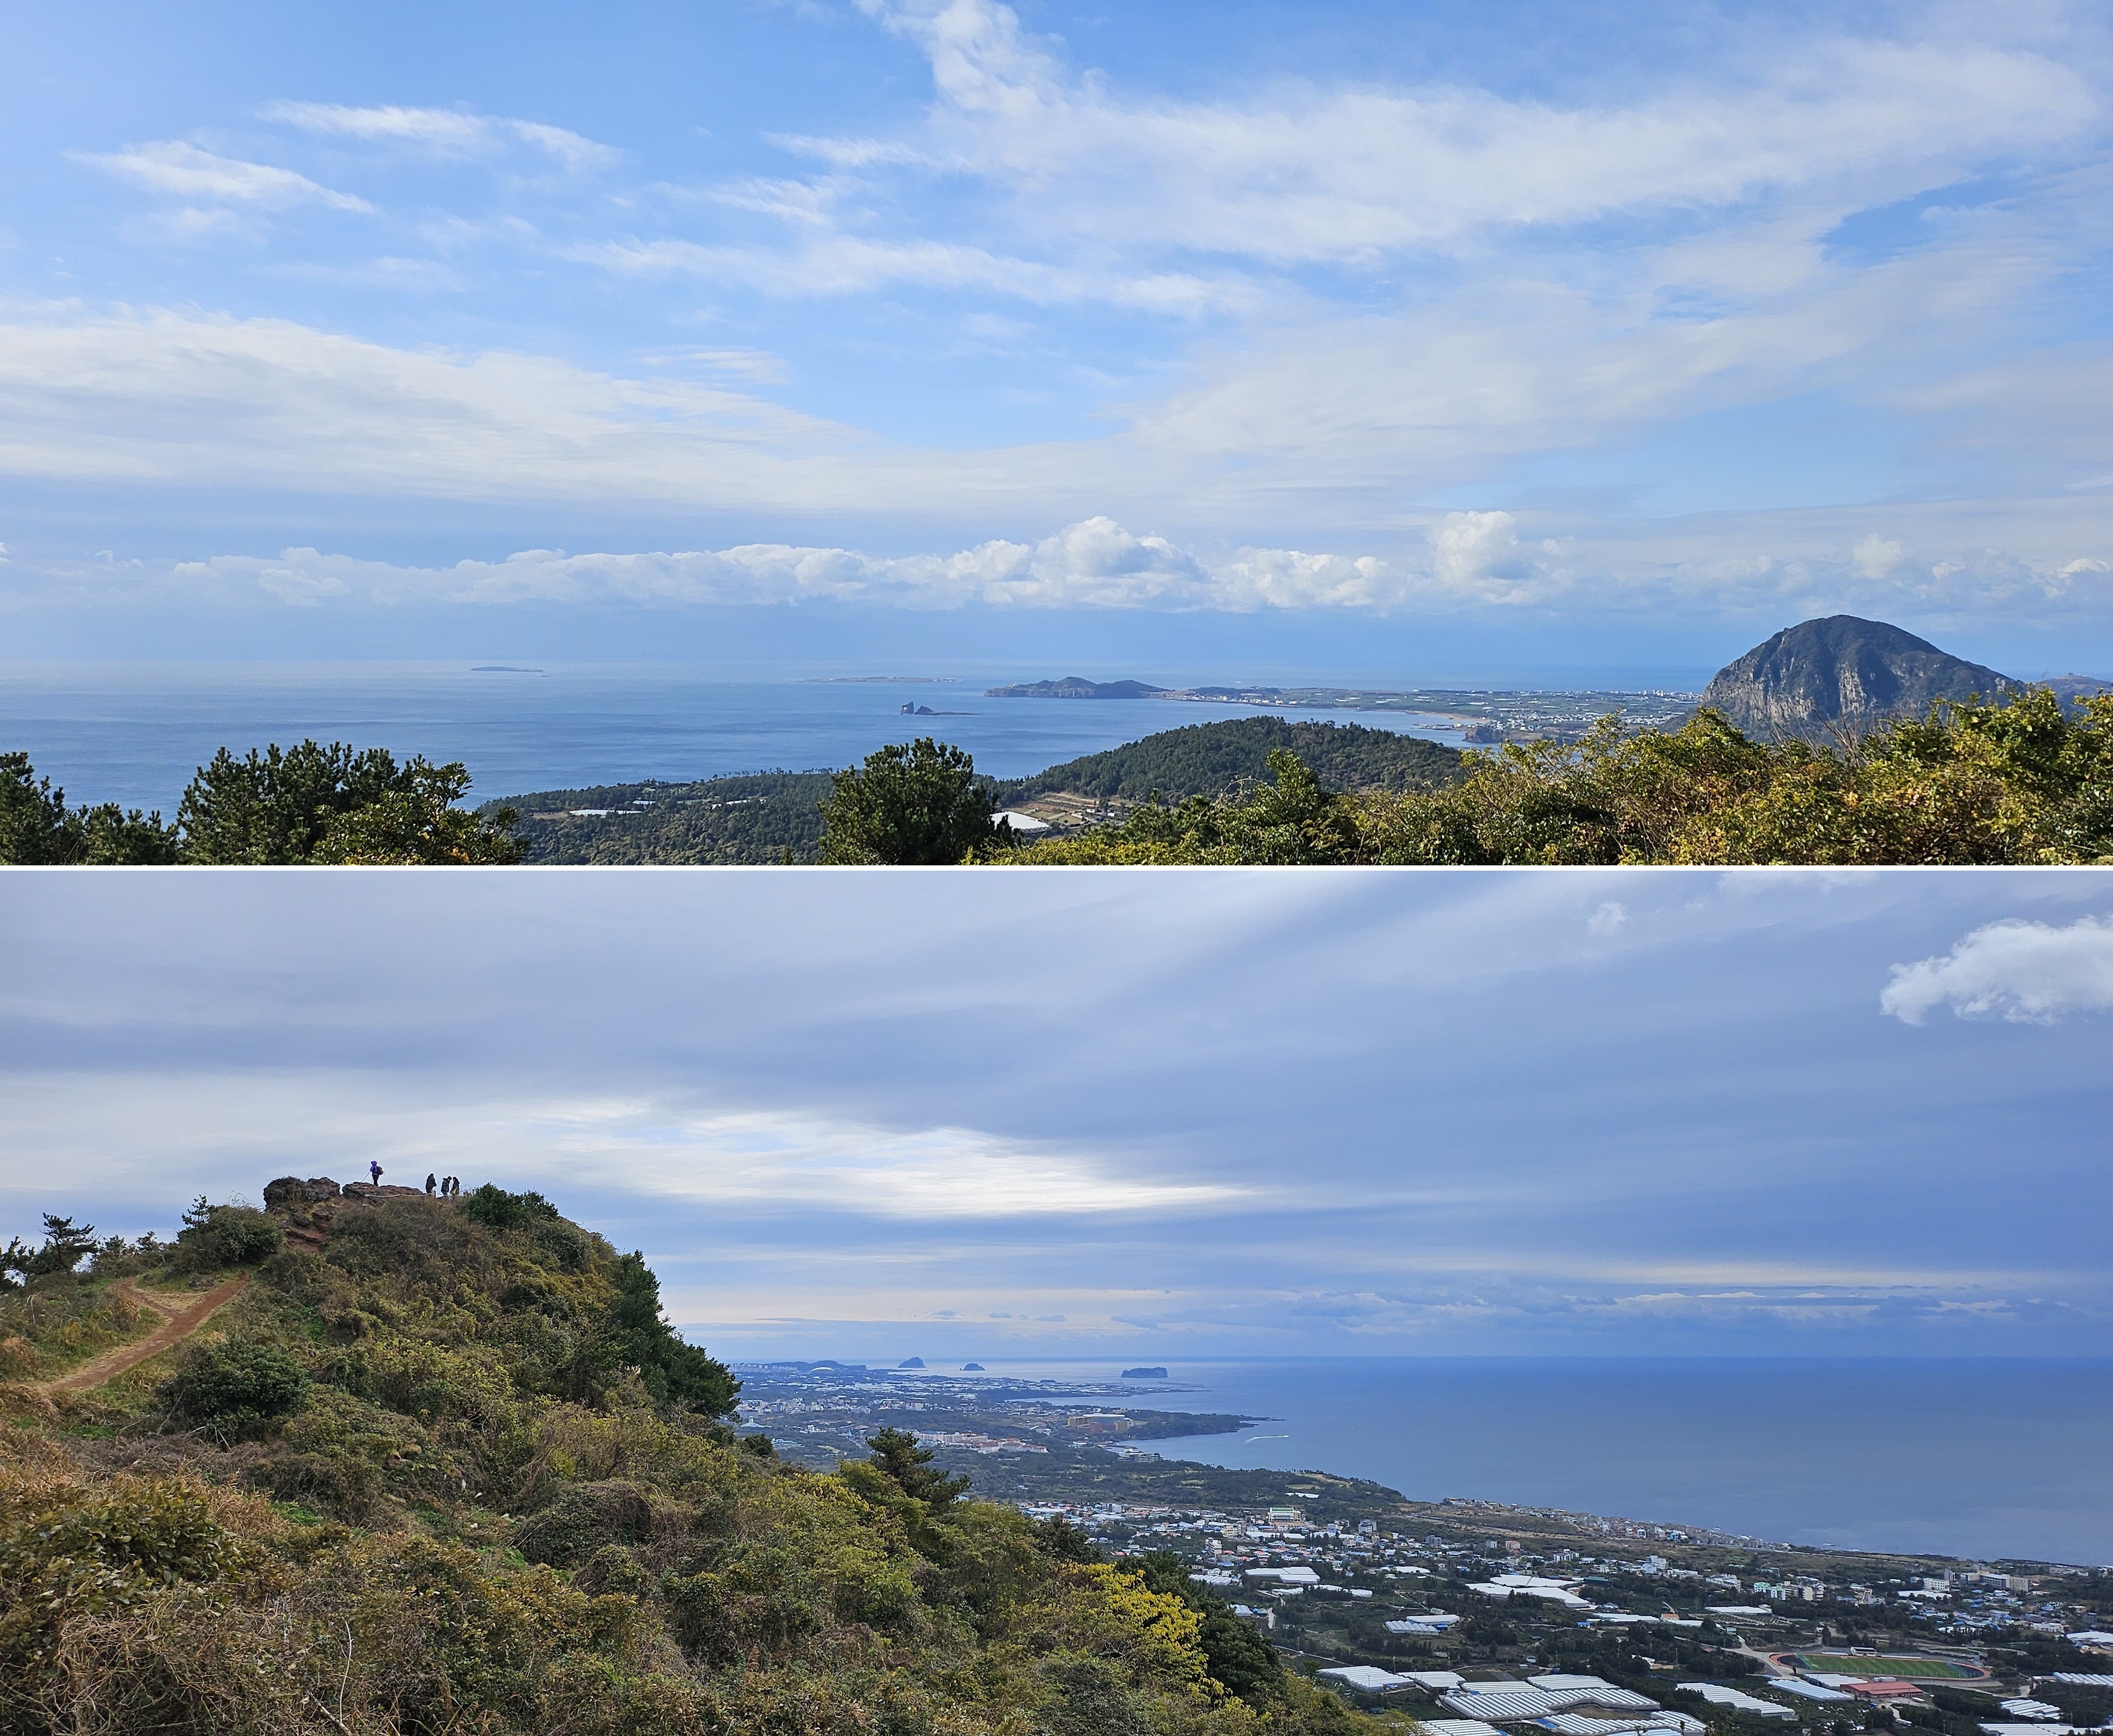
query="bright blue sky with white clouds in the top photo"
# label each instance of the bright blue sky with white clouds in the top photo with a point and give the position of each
(1541, 333)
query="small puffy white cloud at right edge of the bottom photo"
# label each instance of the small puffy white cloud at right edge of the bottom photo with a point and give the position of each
(2027, 973)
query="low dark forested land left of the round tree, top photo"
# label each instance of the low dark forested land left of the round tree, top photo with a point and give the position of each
(719, 820)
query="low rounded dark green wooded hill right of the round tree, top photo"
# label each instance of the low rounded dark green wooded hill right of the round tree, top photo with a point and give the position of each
(1214, 759)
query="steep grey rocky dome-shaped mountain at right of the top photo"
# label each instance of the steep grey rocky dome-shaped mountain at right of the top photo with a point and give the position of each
(1844, 673)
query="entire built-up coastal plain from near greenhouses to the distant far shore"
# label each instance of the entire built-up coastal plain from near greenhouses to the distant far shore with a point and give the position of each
(1480, 1619)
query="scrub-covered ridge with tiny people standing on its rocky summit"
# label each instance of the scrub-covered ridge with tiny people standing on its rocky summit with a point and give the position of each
(443, 1467)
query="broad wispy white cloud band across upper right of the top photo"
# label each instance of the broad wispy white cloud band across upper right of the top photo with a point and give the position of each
(1309, 174)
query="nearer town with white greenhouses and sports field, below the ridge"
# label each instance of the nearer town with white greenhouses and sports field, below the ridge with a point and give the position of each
(1472, 1631)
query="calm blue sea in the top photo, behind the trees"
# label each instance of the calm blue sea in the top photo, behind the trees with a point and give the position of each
(134, 734)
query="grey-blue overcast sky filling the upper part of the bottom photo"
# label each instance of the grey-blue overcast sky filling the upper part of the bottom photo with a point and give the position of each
(1146, 1114)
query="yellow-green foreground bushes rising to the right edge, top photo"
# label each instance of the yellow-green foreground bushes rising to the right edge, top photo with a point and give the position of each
(2019, 782)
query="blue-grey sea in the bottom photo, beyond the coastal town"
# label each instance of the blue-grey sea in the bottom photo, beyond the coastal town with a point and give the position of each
(1972, 1458)
